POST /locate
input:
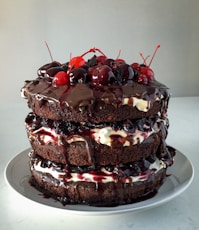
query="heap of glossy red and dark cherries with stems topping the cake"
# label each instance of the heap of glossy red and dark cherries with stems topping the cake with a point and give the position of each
(99, 70)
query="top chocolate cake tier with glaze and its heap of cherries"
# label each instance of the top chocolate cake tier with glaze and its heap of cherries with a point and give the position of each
(98, 90)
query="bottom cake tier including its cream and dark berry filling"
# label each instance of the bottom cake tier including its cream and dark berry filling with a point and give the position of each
(102, 186)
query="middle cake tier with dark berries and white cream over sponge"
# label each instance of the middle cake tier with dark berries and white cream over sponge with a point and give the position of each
(97, 144)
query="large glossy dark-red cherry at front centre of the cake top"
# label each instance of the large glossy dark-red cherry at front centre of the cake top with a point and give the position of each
(103, 75)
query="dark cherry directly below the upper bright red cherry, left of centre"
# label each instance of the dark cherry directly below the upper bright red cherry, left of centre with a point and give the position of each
(78, 75)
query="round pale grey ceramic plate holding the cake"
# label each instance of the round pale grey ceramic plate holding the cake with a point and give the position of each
(17, 175)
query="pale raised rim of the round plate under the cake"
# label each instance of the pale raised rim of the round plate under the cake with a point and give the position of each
(110, 210)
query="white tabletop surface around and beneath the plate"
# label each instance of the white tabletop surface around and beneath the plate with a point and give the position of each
(182, 212)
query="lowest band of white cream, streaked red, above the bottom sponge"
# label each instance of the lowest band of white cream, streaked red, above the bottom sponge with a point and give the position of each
(105, 177)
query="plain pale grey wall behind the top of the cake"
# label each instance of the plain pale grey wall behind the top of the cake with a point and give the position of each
(74, 26)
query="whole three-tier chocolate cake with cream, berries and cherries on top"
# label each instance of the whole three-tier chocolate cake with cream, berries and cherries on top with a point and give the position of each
(97, 129)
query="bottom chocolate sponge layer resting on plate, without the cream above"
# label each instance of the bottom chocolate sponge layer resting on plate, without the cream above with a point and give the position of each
(99, 194)
